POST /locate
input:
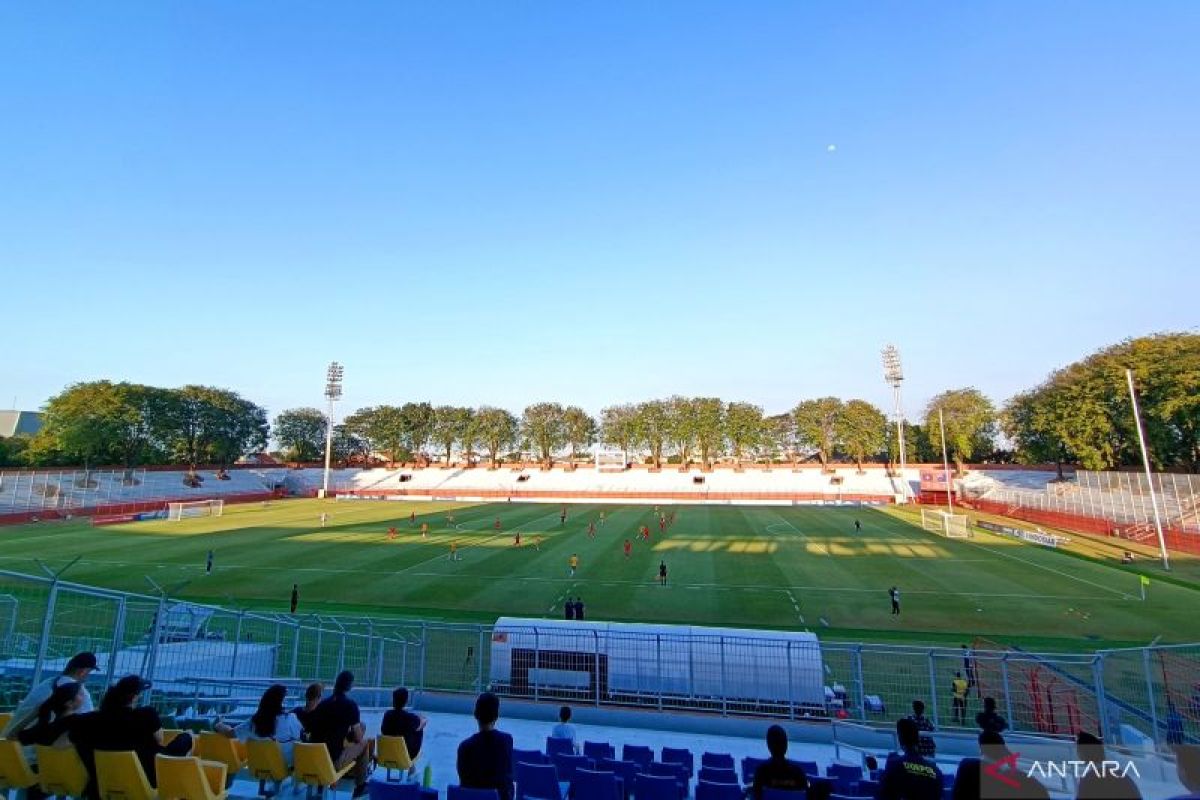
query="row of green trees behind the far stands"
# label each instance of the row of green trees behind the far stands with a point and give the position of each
(1081, 414)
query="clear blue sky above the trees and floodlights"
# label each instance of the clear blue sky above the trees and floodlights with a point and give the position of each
(591, 202)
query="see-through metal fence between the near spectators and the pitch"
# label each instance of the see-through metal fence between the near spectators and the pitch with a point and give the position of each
(201, 657)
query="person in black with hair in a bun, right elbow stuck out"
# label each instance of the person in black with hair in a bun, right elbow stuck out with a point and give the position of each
(122, 725)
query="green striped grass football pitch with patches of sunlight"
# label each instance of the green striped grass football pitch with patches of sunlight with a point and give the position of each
(785, 568)
